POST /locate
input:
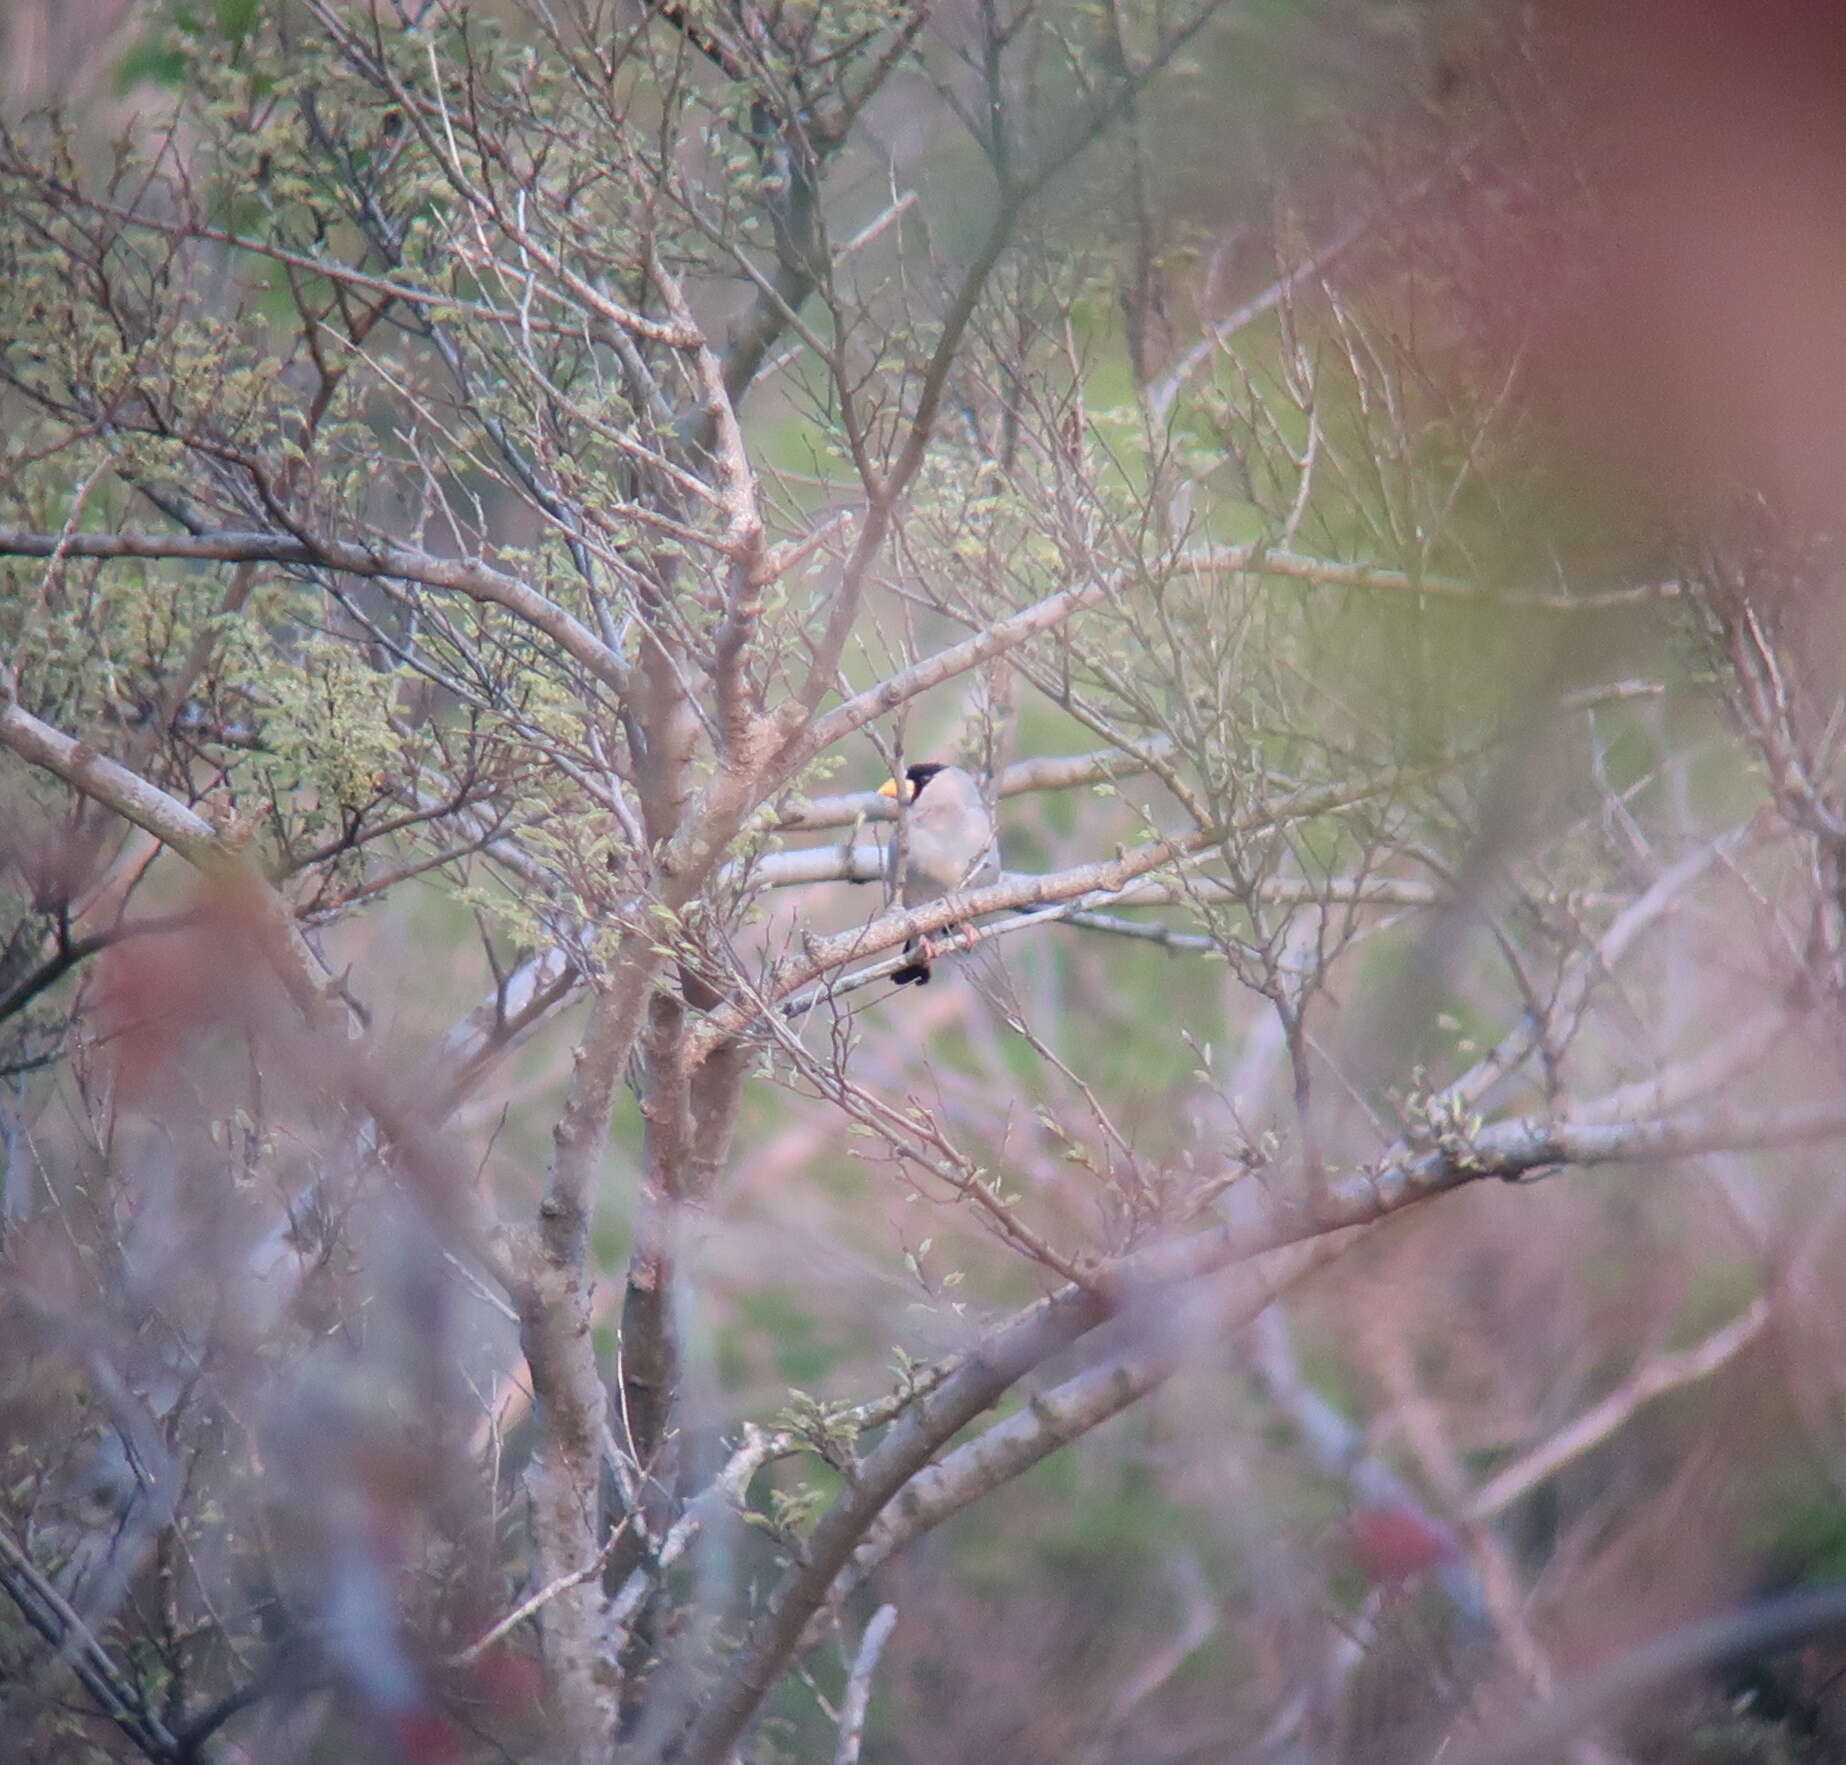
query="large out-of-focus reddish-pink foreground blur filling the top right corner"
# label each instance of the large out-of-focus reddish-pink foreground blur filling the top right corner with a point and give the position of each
(1707, 339)
